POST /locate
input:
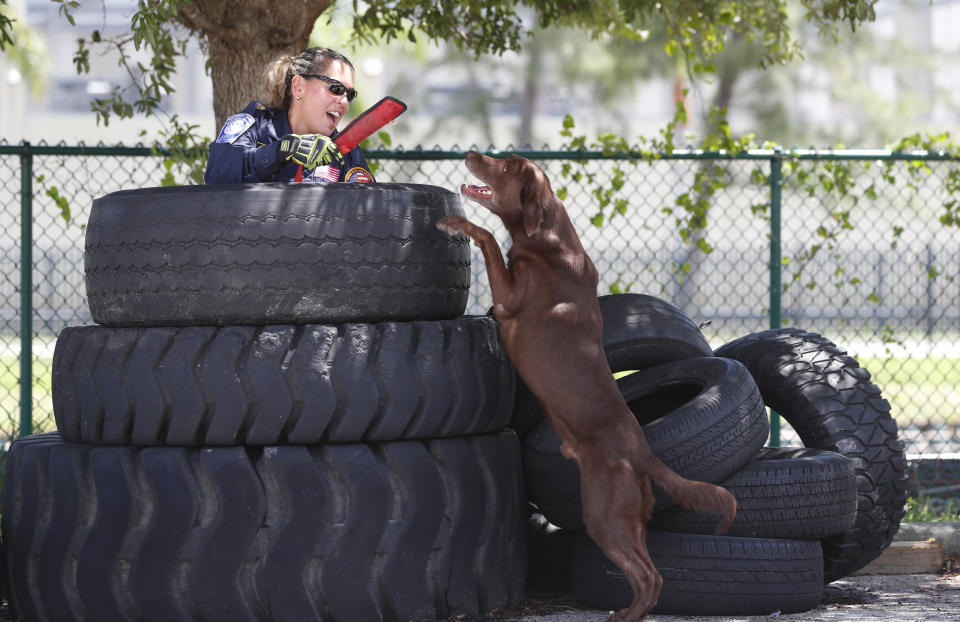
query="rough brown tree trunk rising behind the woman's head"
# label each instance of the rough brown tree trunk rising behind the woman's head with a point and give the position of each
(242, 37)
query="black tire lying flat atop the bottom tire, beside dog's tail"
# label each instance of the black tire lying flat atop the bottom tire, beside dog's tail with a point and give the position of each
(784, 492)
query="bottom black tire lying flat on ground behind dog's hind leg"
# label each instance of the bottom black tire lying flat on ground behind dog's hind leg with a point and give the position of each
(708, 575)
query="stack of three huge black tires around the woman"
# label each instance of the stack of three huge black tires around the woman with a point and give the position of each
(282, 414)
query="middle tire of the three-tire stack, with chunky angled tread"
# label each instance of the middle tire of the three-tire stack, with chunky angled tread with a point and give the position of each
(246, 385)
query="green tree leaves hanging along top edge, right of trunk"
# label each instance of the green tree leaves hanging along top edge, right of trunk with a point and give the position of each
(697, 30)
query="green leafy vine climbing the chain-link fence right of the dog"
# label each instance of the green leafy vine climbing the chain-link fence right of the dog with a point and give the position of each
(837, 182)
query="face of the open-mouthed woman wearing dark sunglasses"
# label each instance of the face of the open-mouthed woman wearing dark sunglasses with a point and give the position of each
(318, 111)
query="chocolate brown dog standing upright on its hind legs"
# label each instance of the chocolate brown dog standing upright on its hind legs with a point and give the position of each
(546, 302)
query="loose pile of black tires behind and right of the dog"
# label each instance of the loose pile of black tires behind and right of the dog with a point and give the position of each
(805, 516)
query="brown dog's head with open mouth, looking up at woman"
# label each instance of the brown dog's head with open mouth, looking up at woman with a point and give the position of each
(516, 190)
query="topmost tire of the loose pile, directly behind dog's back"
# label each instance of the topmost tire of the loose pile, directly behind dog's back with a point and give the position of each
(639, 331)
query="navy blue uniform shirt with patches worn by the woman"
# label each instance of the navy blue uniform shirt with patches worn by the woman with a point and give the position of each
(248, 150)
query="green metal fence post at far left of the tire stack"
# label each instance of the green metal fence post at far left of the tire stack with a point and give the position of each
(26, 290)
